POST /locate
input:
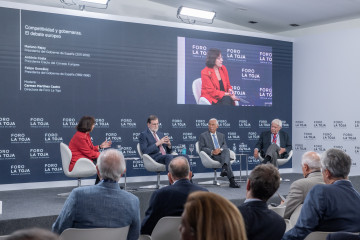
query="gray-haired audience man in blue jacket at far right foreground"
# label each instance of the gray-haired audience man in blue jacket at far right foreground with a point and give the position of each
(333, 206)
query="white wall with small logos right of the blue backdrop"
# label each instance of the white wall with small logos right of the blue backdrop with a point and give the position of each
(326, 89)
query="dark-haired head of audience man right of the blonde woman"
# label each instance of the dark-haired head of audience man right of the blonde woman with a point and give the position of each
(263, 182)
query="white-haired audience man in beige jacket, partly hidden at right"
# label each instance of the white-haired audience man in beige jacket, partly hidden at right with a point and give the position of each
(311, 168)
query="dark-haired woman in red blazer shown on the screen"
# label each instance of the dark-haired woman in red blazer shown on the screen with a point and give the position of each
(215, 85)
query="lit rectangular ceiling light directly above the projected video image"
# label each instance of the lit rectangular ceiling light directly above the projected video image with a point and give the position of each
(192, 15)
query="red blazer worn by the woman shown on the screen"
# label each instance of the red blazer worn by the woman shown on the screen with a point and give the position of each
(210, 87)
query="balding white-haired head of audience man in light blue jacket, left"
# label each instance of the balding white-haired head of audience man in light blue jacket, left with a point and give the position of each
(111, 164)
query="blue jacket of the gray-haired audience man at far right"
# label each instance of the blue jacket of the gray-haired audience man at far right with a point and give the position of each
(328, 208)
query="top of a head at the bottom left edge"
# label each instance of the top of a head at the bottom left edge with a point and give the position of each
(33, 234)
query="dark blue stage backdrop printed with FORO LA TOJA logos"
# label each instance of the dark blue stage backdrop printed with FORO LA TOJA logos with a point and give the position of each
(55, 68)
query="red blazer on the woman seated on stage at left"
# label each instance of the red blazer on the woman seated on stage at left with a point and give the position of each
(81, 147)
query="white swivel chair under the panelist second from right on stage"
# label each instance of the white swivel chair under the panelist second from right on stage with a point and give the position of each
(210, 163)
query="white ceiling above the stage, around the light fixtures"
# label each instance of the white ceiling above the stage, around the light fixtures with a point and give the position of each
(273, 16)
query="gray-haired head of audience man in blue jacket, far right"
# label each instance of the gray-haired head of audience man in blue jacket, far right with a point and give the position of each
(336, 162)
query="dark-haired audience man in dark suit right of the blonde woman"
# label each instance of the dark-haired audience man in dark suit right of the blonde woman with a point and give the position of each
(261, 222)
